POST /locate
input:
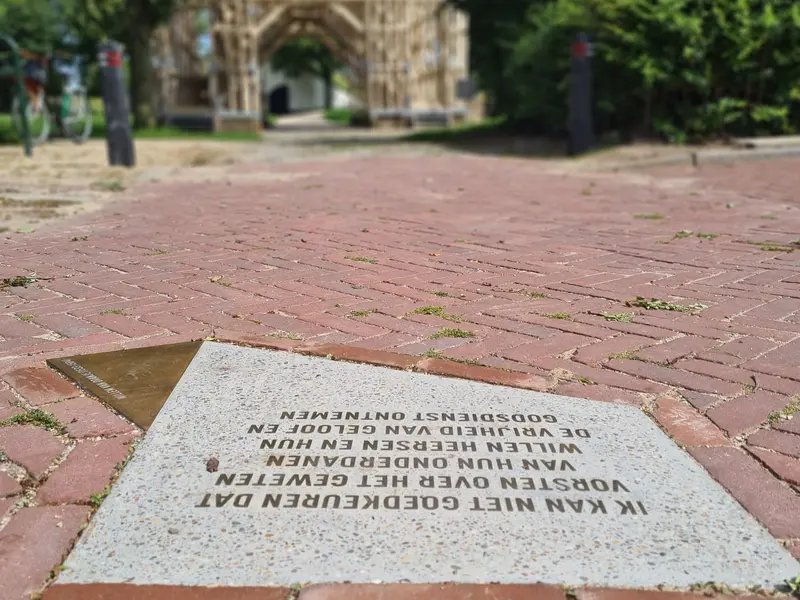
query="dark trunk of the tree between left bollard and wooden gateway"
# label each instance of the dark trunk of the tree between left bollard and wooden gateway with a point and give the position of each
(141, 86)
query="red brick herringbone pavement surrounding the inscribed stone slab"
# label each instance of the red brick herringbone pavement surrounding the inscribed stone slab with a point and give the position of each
(387, 255)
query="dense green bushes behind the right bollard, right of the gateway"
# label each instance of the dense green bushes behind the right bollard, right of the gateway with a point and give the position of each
(680, 69)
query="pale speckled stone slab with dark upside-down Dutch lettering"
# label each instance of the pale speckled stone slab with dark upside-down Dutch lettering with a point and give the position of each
(268, 468)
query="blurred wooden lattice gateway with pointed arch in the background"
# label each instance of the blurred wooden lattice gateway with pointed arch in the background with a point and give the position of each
(406, 58)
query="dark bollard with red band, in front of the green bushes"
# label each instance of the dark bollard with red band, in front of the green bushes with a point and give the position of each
(581, 126)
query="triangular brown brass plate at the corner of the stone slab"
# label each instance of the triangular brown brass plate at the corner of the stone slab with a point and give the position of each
(136, 382)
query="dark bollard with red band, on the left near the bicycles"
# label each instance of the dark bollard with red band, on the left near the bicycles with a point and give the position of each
(119, 136)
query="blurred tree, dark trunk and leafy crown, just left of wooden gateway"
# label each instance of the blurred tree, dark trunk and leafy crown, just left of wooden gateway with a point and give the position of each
(131, 22)
